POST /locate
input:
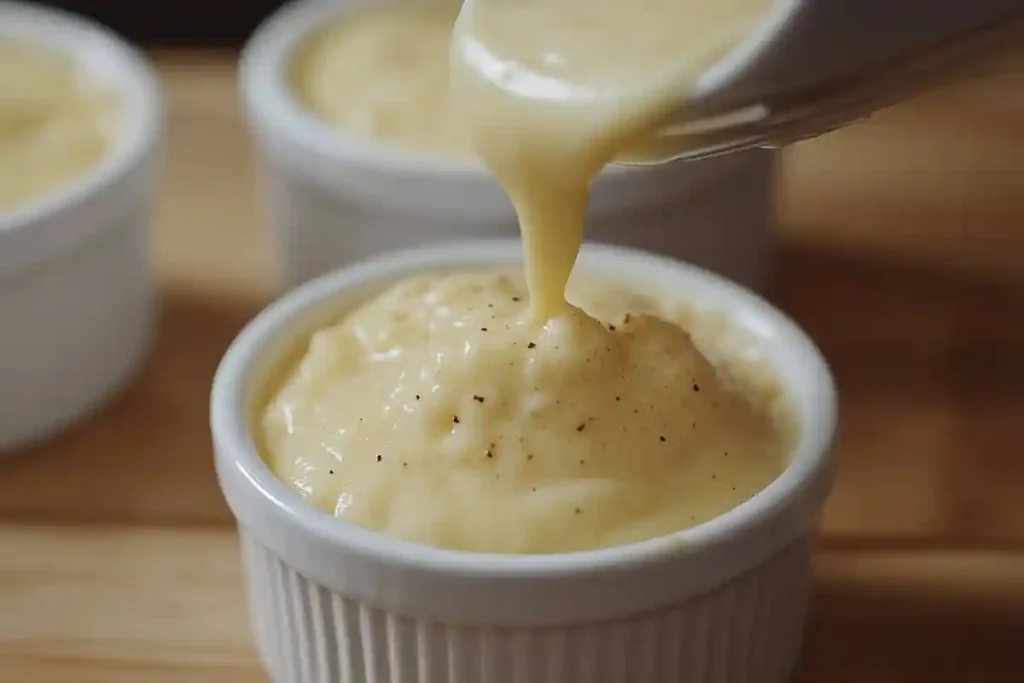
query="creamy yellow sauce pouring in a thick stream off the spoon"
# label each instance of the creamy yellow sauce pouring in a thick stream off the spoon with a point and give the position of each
(552, 91)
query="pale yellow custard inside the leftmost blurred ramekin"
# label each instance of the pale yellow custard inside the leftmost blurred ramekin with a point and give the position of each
(54, 123)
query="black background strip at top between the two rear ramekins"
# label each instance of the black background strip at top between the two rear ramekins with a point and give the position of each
(177, 23)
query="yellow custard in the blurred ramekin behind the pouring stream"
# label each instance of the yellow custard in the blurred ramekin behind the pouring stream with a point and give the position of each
(383, 74)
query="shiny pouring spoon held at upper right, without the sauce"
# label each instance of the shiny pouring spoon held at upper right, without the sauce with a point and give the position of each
(815, 66)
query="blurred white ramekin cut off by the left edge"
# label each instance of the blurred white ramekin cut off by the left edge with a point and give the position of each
(76, 294)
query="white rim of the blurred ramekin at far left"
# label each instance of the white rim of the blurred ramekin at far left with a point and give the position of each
(147, 121)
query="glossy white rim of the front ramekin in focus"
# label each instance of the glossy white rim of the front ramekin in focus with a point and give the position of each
(237, 450)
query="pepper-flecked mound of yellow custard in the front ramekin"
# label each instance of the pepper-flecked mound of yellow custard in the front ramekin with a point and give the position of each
(440, 413)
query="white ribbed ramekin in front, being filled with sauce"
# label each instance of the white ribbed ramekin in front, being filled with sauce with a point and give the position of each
(723, 603)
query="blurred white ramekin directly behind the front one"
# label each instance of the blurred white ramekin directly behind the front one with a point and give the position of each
(333, 200)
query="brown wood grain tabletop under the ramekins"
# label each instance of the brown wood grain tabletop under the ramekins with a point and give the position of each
(903, 252)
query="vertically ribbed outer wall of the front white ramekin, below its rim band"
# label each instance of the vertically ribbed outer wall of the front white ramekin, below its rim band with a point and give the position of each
(749, 630)
